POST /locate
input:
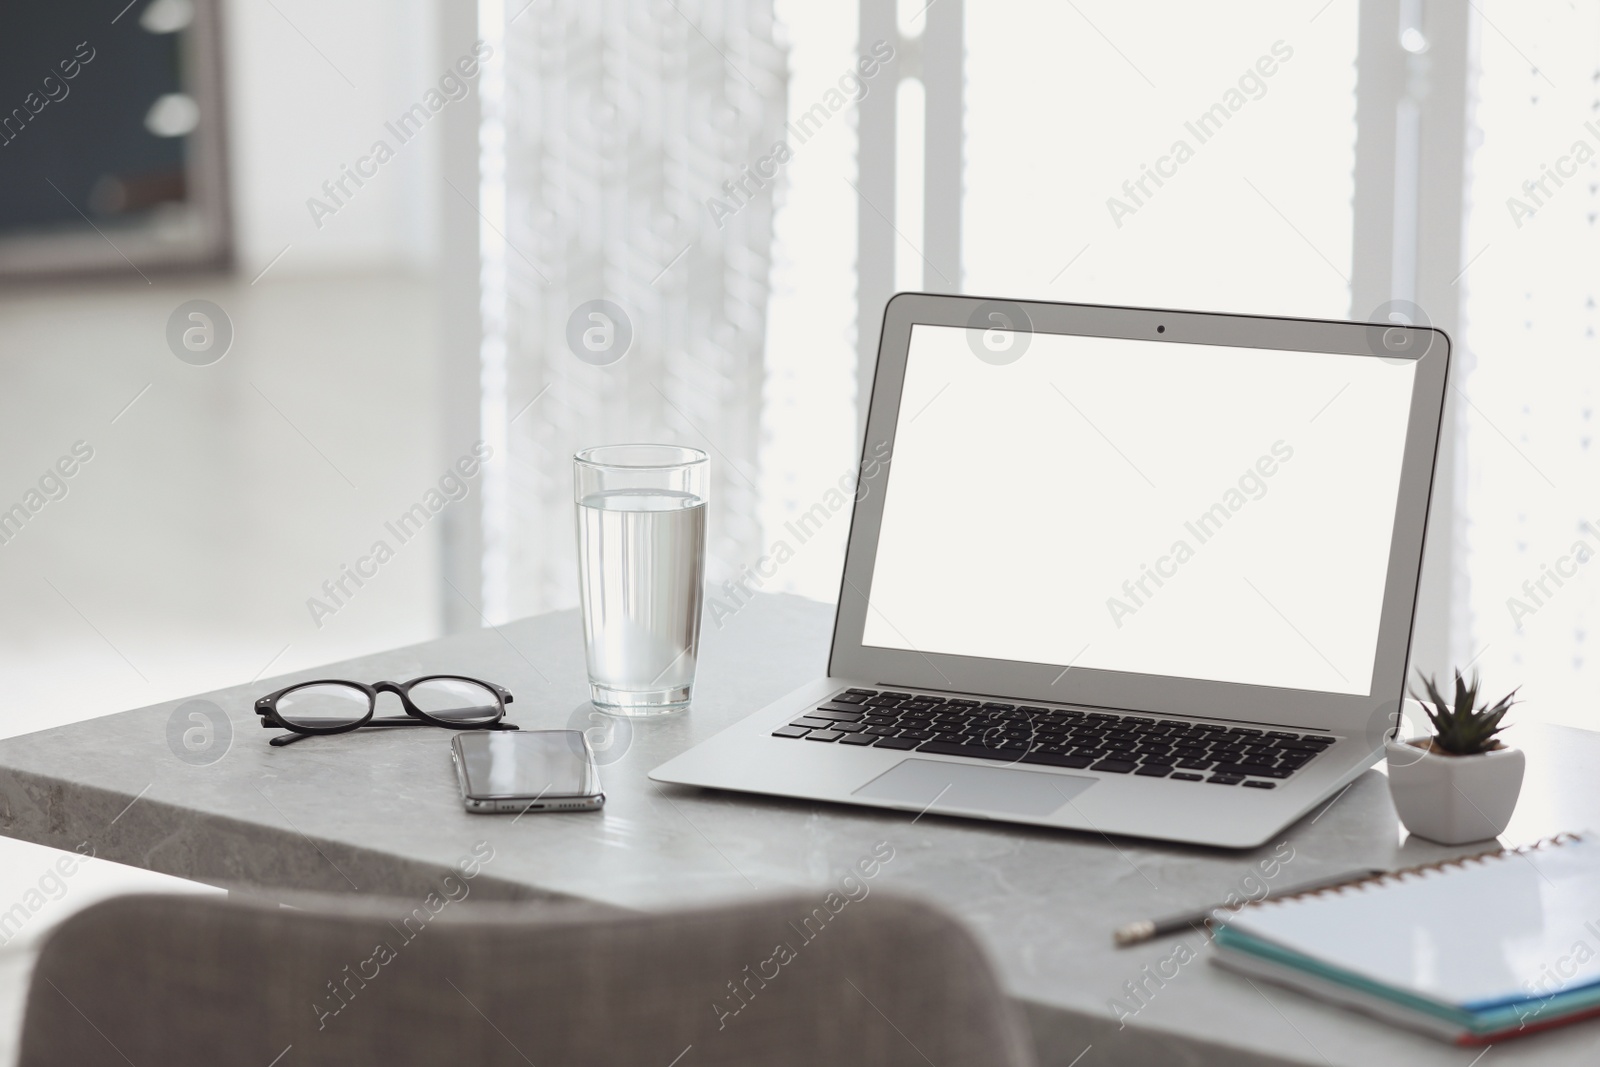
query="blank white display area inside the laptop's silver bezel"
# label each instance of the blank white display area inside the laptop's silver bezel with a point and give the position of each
(1143, 506)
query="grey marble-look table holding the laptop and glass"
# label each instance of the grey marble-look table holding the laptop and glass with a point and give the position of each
(378, 812)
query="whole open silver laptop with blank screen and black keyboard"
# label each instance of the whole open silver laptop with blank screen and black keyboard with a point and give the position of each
(1114, 570)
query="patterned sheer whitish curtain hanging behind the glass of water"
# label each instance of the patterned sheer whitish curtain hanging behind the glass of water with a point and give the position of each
(618, 167)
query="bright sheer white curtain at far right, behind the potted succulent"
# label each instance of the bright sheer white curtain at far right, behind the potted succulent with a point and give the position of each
(1530, 358)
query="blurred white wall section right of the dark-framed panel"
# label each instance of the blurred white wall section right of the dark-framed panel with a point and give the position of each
(311, 87)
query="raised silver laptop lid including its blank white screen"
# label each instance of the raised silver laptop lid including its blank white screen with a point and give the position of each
(1172, 513)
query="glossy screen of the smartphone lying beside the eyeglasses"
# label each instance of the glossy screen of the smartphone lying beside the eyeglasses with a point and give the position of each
(527, 764)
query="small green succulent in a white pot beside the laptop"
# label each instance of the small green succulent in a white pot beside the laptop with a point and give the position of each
(1462, 785)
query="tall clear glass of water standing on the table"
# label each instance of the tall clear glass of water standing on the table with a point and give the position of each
(641, 573)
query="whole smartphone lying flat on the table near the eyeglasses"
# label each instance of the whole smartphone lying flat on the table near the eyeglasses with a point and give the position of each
(527, 770)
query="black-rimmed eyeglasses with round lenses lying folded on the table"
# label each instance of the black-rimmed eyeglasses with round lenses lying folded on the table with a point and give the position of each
(334, 708)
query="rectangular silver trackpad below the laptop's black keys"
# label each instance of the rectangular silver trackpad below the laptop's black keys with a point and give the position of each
(930, 785)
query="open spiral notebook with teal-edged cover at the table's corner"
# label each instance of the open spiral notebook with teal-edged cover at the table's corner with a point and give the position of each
(1474, 949)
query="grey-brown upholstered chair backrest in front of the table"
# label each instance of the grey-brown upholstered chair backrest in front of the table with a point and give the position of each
(786, 981)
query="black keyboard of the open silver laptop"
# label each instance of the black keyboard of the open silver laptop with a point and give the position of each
(1023, 733)
